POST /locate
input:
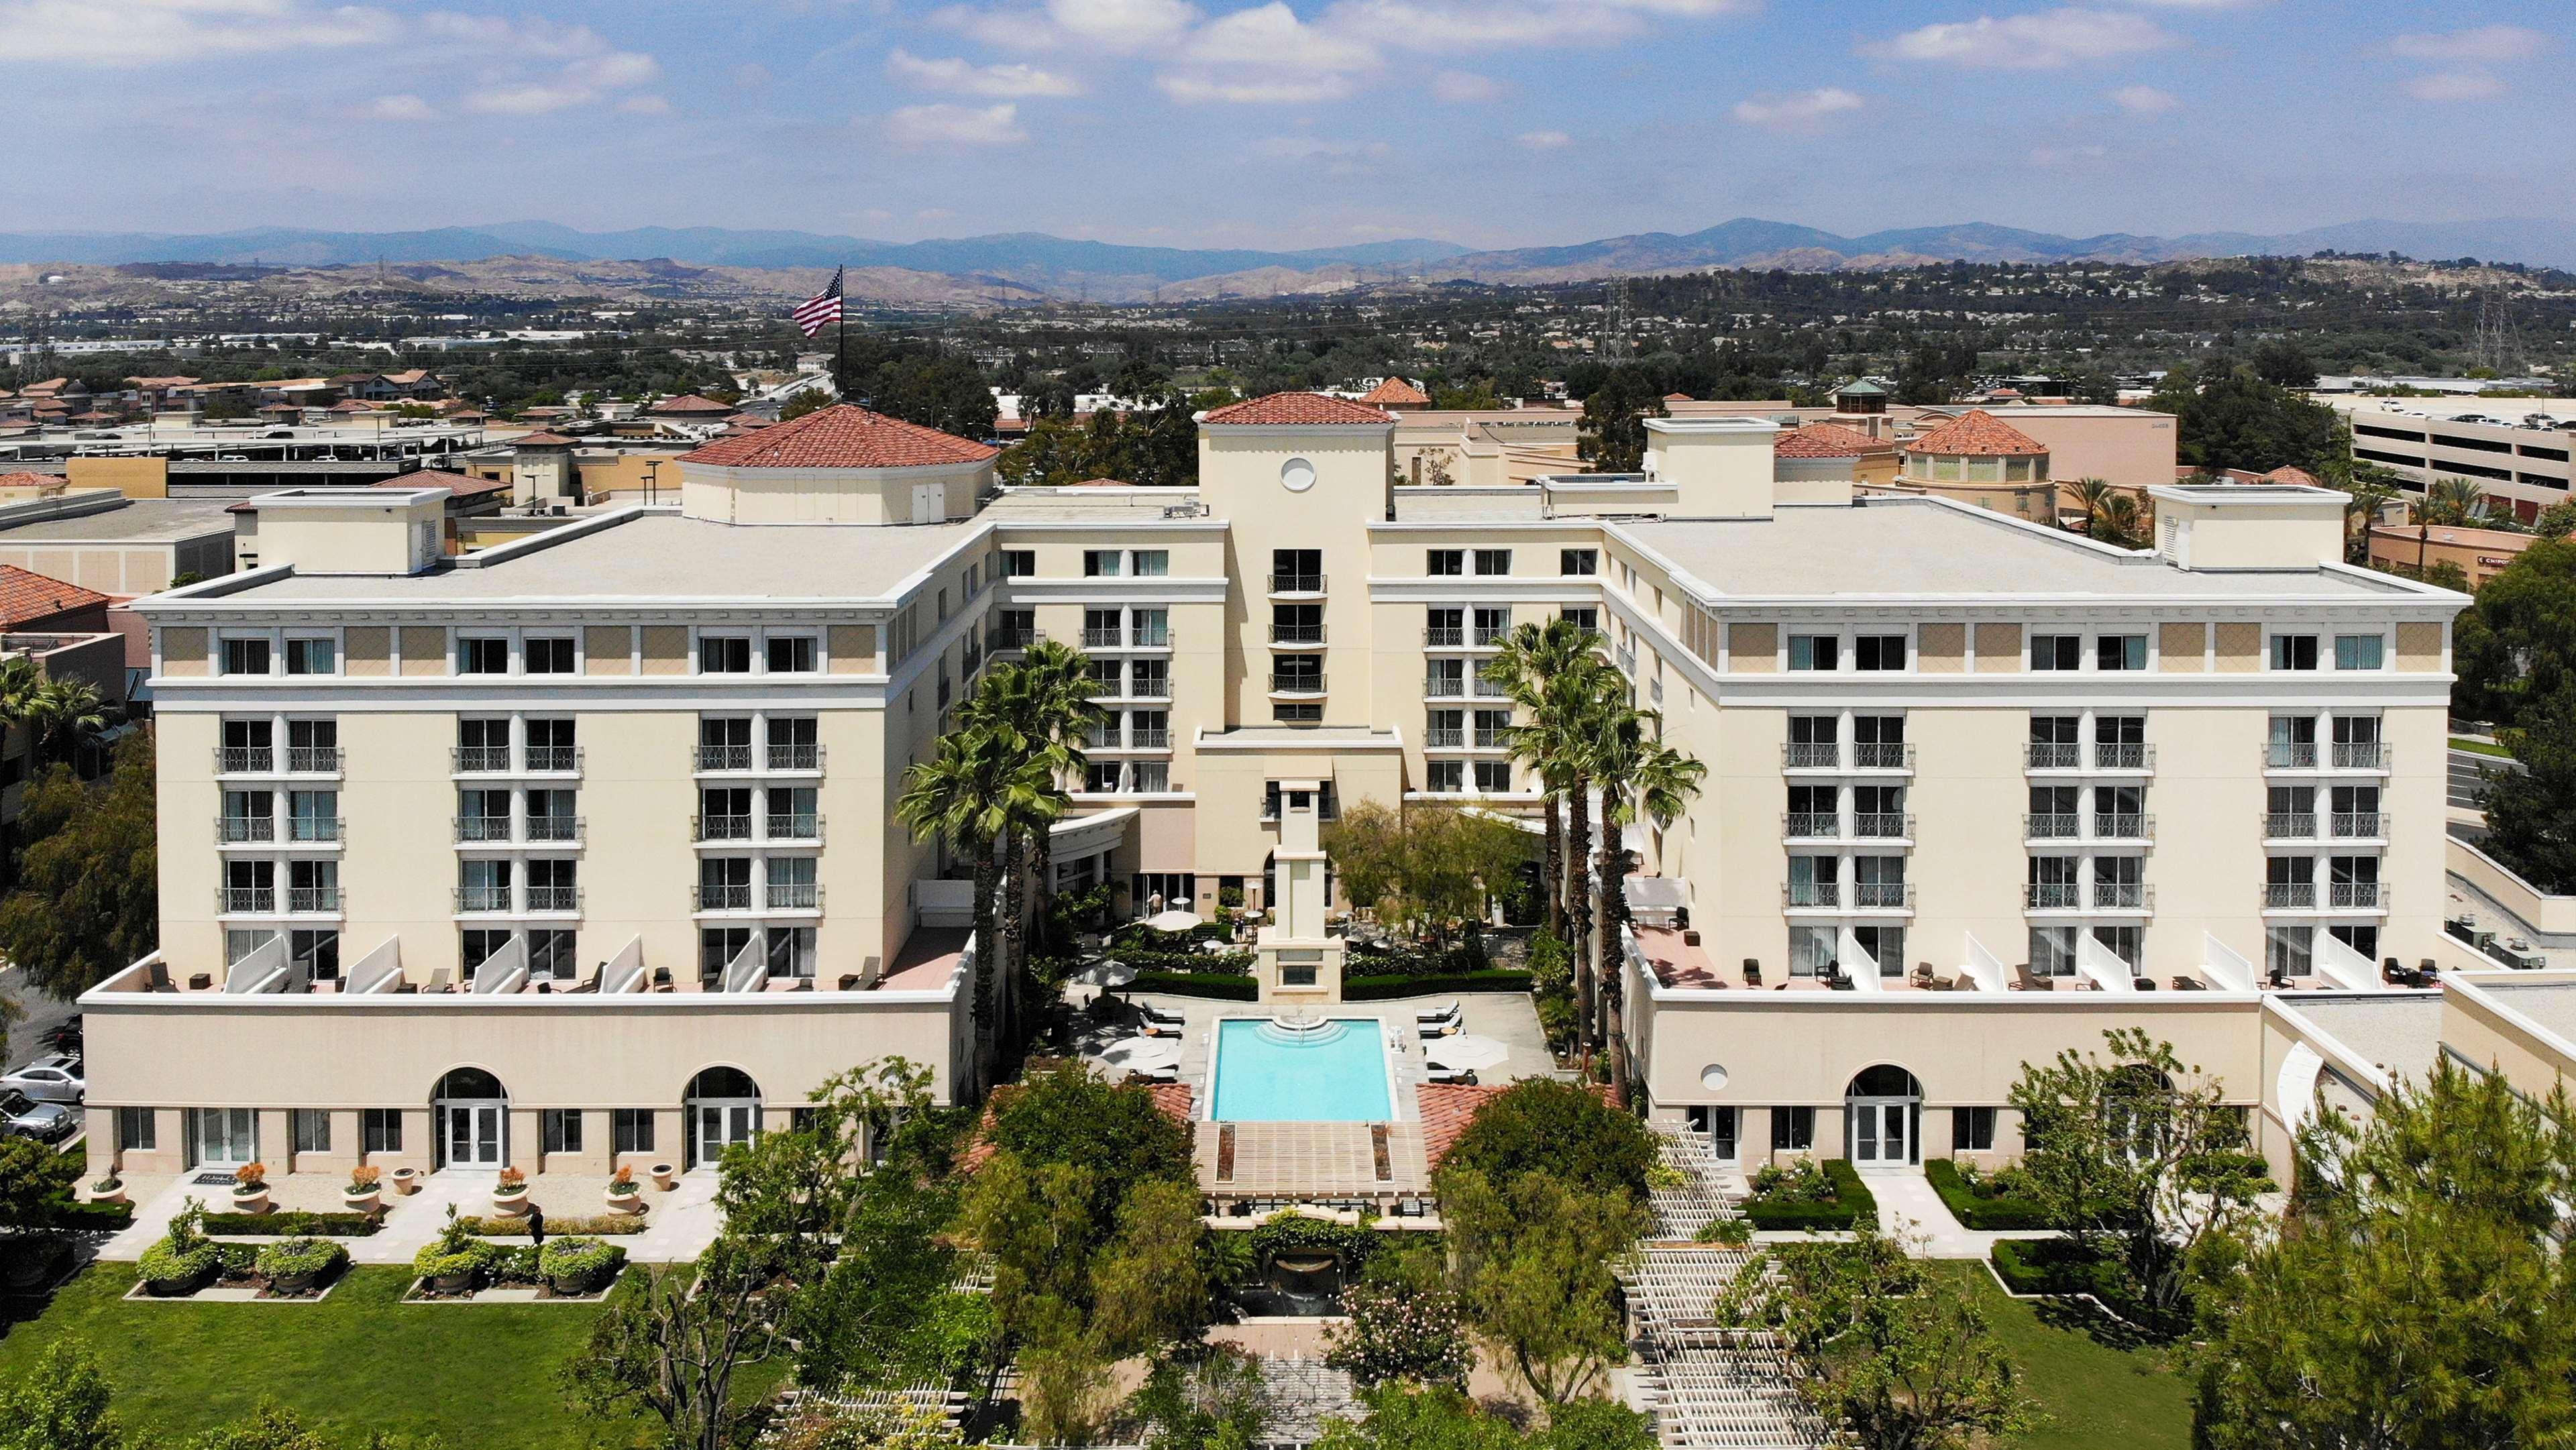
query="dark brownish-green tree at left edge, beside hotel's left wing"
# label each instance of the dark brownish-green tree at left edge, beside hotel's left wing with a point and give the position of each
(86, 898)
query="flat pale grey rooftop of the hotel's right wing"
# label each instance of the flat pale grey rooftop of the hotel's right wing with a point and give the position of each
(1902, 547)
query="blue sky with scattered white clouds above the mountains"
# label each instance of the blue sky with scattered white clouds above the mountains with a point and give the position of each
(1289, 122)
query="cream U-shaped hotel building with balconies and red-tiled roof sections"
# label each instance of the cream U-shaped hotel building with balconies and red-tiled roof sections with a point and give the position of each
(581, 851)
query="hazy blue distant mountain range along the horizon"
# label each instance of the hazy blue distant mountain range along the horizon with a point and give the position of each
(1106, 272)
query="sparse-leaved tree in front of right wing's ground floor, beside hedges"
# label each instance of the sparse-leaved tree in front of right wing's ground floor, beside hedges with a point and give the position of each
(2137, 1153)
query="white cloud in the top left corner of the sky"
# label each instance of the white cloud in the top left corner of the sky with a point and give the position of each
(153, 32)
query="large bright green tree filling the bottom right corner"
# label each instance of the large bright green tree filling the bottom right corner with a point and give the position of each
(2418, 1294)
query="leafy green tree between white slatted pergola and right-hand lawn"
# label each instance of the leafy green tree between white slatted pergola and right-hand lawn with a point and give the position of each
(1897, 1348)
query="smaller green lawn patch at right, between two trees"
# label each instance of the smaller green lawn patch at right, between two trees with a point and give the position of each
(2098, 1395)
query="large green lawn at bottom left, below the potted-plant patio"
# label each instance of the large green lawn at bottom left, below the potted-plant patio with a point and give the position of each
(349, 1366)
